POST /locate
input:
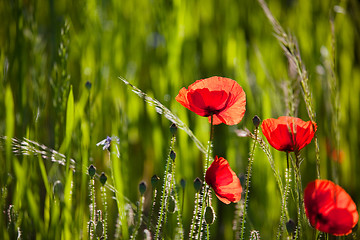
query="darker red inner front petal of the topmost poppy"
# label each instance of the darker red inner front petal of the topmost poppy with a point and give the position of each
(210, 102)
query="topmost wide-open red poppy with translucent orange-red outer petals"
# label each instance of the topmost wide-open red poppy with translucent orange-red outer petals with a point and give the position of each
(221, 97)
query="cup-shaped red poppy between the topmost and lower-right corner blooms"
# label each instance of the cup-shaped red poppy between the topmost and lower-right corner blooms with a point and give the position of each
(288, 134)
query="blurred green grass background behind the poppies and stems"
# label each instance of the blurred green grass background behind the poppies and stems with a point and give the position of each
(49, 47)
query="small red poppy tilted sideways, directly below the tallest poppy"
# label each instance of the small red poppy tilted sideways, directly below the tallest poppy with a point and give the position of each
(224, 181)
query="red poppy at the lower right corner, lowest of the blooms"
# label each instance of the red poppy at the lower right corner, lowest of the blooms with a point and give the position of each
(329, 208)
